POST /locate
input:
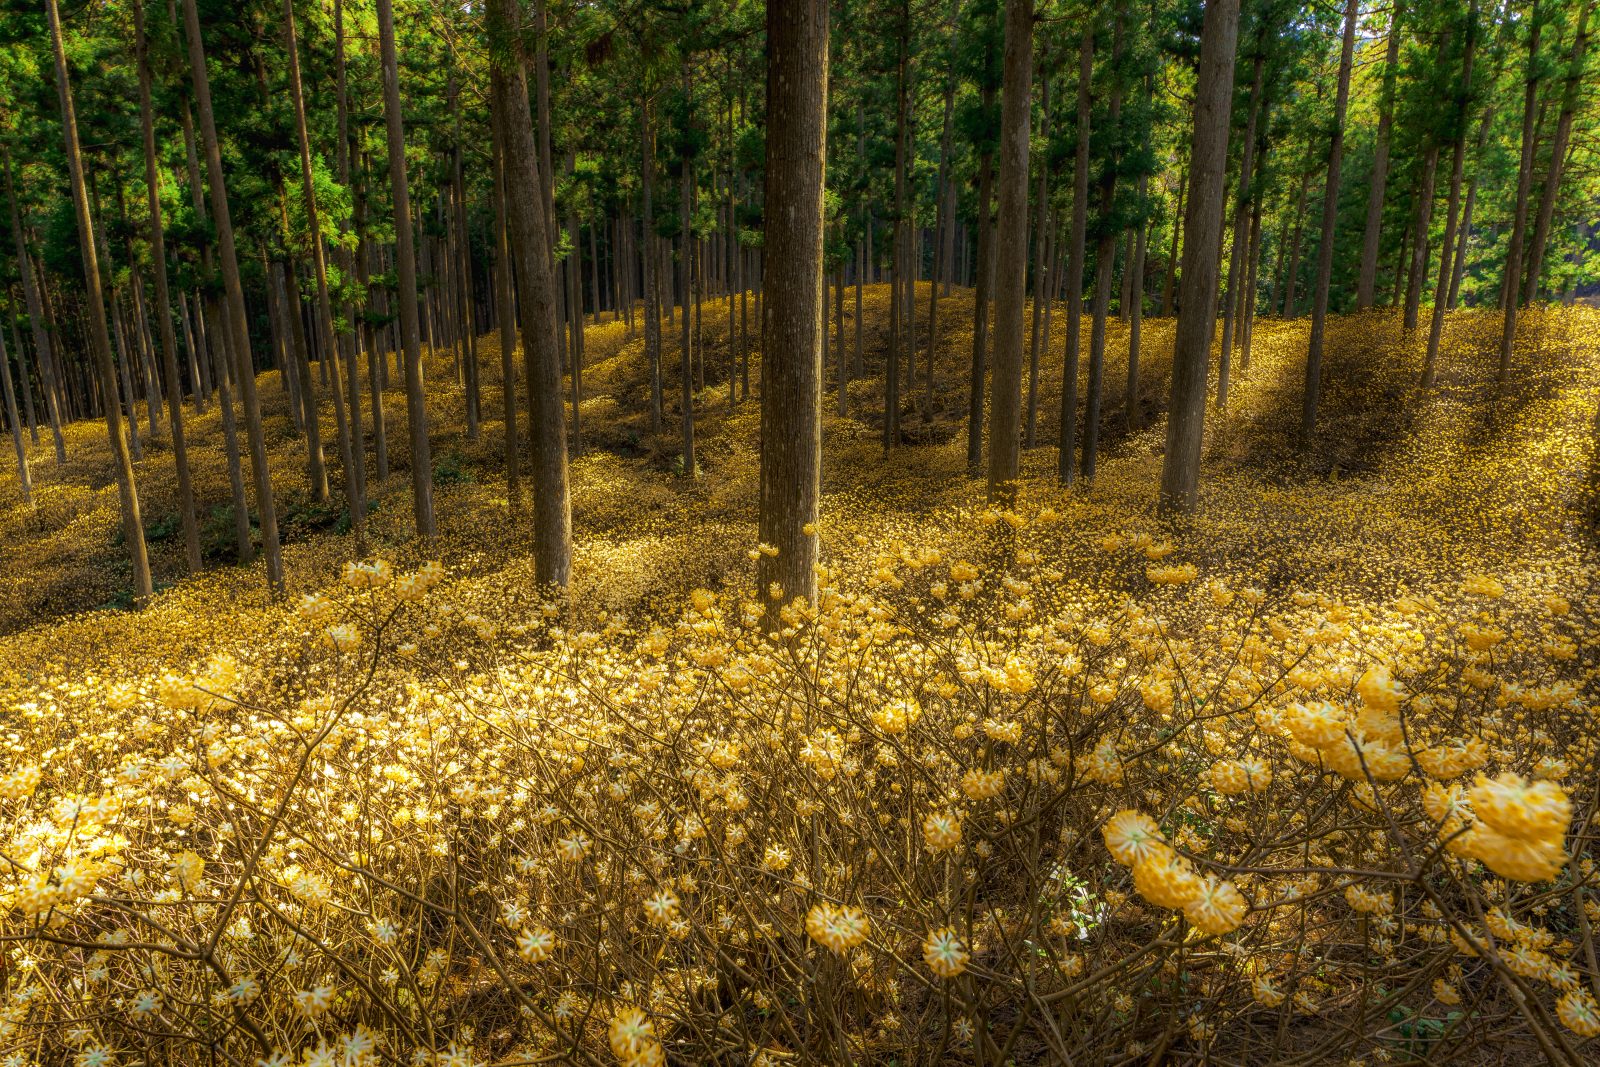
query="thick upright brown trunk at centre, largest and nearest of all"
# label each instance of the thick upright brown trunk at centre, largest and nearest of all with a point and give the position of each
(793, 314)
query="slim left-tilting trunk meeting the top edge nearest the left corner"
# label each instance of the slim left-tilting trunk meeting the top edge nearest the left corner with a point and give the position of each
(122, 465)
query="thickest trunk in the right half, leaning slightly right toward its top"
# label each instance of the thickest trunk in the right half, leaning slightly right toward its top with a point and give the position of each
(1202, 250)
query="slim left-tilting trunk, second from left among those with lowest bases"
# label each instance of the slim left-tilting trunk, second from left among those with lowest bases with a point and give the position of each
(244, 366)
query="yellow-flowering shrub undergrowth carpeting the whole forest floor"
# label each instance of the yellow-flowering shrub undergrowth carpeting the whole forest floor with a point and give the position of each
(1310, 777)
